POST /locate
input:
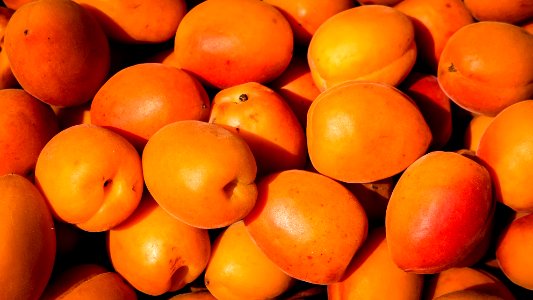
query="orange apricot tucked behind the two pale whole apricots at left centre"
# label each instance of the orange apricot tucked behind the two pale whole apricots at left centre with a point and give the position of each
(140, 99)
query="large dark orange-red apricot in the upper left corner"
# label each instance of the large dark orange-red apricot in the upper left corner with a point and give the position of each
(62, 62)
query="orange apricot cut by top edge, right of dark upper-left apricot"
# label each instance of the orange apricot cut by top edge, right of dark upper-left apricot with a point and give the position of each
(130, 21)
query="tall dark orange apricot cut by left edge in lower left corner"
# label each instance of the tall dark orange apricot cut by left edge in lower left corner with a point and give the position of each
(28, 239)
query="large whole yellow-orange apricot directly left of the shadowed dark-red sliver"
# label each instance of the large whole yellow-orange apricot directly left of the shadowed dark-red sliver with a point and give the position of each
(364, 132)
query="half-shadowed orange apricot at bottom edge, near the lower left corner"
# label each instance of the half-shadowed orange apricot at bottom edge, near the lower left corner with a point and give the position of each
(89, 281)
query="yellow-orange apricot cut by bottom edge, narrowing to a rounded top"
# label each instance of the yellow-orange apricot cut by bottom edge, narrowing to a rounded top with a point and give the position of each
(238, 268)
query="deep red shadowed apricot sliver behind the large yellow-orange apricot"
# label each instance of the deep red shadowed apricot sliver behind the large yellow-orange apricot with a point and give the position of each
(435, 106)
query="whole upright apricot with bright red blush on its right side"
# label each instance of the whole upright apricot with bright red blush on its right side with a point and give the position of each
(439, 212)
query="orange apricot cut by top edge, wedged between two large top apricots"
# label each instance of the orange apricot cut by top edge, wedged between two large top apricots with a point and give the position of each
(305, 16)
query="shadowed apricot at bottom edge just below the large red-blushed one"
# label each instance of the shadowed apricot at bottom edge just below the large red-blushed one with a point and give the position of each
(466, 278)
